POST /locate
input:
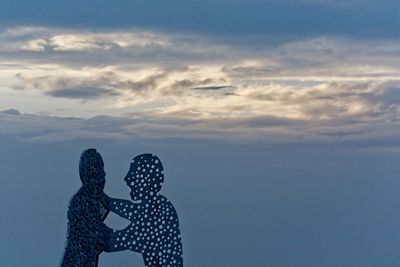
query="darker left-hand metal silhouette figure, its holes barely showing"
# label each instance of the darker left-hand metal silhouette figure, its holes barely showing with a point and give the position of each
(87, 234)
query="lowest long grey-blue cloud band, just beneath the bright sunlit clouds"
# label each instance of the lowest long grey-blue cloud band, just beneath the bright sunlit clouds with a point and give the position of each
(186, 126)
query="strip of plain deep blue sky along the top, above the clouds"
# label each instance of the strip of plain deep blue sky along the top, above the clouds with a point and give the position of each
(298, 17)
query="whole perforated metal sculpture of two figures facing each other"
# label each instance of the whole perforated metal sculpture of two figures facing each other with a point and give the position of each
(154, 228)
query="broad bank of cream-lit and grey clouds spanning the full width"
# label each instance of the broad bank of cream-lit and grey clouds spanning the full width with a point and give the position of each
(192, 78)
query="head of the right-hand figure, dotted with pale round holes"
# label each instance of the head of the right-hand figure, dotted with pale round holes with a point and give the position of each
(145, 176)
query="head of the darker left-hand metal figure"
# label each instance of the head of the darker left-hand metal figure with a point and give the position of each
(91, 168)
